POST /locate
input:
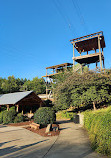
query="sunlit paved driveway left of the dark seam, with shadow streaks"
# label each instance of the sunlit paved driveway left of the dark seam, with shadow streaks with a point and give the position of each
(19, 142)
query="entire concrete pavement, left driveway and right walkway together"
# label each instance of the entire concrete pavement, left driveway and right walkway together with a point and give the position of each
(16, 142)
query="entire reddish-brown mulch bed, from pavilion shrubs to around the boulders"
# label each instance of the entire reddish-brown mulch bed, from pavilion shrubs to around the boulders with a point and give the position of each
(40, 131)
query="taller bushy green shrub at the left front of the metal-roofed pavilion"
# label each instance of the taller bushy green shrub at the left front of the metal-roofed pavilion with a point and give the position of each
(8, 116)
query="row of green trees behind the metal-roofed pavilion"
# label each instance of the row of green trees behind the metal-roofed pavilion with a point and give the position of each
(12, 84)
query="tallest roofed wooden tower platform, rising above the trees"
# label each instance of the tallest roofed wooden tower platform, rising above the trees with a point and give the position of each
(89, 43)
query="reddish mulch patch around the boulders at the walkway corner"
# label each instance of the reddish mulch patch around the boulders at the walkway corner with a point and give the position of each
(42, 131)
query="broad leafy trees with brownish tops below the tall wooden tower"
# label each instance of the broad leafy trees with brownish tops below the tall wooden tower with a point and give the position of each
(89, 88)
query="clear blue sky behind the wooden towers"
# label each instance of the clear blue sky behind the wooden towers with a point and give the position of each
(35, 34)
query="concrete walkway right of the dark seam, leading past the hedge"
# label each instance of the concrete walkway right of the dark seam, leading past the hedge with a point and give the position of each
(73, 142)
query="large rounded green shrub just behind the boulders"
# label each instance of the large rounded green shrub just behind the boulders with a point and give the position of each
(44, 116)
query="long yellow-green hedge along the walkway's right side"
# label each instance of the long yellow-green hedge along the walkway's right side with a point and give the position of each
(98, 125)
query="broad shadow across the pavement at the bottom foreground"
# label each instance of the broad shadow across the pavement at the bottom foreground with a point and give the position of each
(60, 151)
